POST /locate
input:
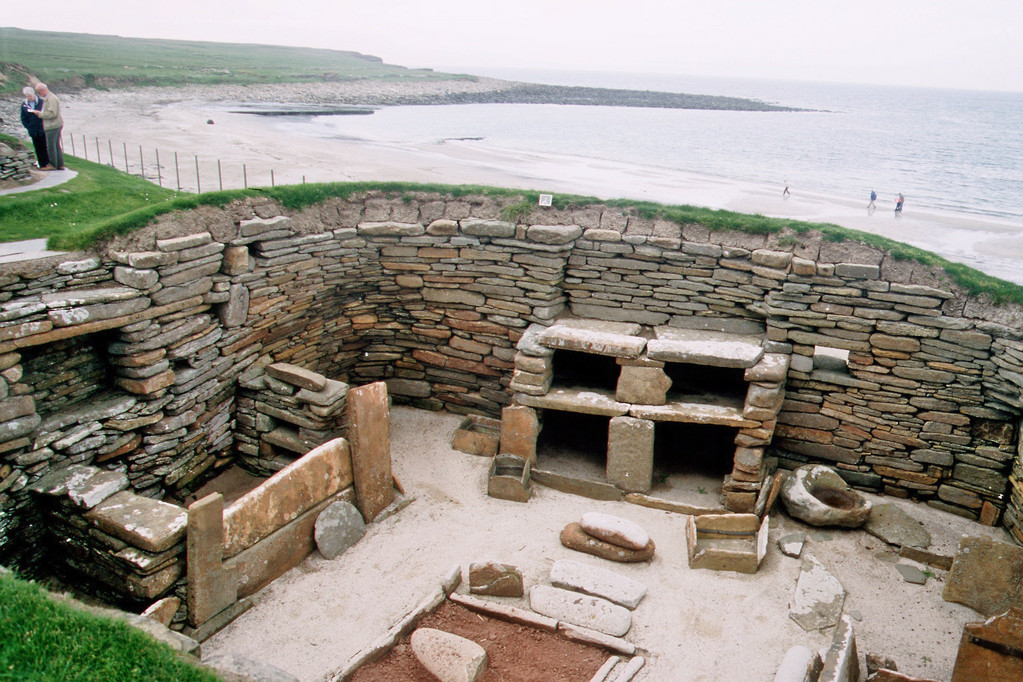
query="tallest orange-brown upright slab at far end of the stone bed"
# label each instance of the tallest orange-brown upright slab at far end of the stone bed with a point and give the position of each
(370, 435)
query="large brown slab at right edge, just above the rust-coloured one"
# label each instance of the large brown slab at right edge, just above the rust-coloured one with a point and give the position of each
(987, 576)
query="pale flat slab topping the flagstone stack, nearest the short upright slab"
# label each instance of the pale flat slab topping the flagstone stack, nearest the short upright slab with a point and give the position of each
(142, 522)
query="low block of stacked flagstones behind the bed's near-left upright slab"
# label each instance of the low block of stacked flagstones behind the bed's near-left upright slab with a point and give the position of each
(132, 544)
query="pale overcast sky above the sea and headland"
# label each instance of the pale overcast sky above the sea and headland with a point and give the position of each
(926, 43)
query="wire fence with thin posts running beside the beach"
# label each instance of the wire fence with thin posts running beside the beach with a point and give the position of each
(187, 174)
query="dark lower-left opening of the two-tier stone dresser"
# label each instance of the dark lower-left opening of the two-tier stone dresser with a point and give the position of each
(573, 444)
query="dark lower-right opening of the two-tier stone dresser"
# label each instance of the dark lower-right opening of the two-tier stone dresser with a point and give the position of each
(692, 461)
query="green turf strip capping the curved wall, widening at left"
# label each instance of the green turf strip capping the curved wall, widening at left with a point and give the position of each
(103, 203)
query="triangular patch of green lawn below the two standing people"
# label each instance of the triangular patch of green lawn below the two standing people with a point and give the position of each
(98, 193)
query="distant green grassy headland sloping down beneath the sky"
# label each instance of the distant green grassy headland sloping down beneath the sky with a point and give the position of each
(74, 61)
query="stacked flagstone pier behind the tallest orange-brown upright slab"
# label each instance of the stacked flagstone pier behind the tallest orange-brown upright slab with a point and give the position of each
(284, 413)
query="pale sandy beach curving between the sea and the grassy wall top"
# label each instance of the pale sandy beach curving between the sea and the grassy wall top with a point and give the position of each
(249, 148)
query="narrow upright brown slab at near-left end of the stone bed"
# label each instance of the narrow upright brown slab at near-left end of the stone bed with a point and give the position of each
(212, 588)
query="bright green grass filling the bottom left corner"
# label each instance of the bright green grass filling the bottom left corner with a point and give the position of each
(46, 641)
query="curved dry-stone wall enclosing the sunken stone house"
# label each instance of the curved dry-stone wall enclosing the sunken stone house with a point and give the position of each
(134, 360)
